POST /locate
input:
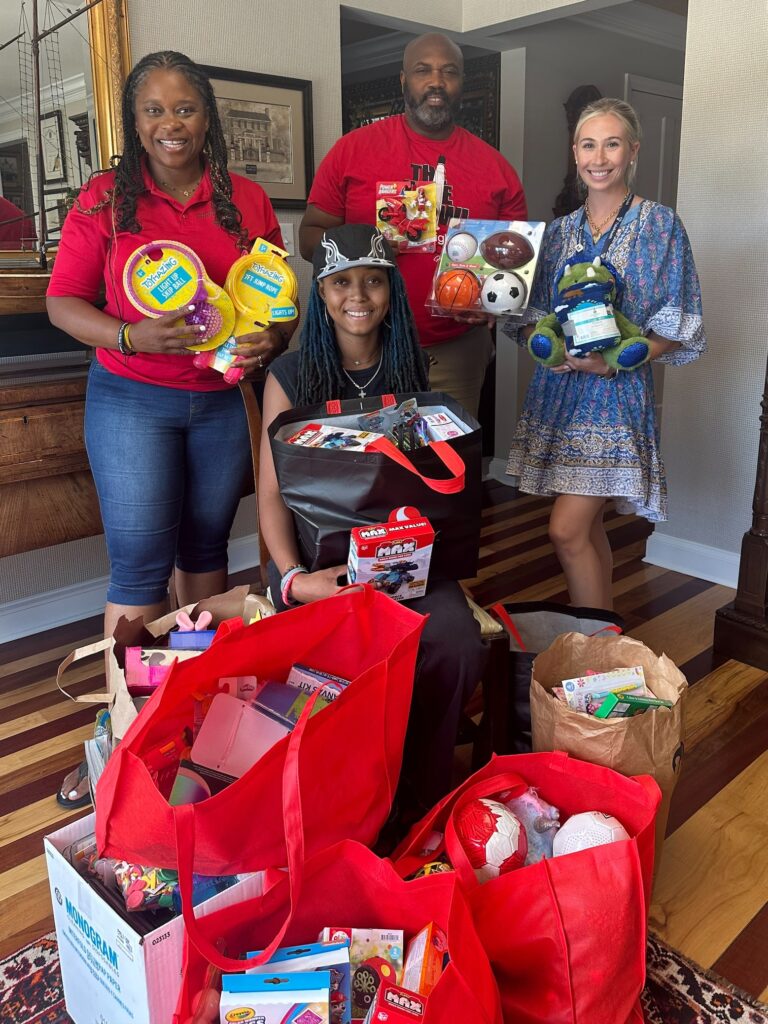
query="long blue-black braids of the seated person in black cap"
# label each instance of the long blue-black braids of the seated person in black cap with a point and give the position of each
(321, 376)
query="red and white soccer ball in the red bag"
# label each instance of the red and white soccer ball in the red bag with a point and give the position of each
(492, 837)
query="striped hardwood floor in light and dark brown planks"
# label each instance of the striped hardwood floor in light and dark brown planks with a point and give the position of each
(711, 899)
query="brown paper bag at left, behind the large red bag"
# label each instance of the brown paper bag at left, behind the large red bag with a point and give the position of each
(133, 633)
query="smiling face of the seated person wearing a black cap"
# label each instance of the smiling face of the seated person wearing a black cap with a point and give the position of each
(357, 301)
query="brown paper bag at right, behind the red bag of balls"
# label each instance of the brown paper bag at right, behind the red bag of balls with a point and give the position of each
(651, 744)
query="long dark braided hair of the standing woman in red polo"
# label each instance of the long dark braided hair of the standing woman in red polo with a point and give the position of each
(130, 183)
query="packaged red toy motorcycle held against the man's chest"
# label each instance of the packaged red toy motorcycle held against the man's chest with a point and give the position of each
(407, 216)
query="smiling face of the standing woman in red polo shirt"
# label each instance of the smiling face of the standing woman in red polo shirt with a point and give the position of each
(172, 121)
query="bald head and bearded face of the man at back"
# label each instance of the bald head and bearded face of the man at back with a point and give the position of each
(432, 79)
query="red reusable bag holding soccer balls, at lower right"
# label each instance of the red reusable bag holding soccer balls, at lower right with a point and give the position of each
(566, 937)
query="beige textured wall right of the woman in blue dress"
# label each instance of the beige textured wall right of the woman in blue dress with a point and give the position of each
(711, 408)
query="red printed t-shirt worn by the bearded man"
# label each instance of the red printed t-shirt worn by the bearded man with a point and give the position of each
(480, 183)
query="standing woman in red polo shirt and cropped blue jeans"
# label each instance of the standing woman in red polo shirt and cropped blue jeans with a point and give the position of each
(167, 442)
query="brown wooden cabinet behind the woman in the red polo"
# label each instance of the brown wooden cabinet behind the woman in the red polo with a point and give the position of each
(47, 491)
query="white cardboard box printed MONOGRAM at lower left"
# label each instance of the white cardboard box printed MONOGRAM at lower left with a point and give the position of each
(113, 974)
